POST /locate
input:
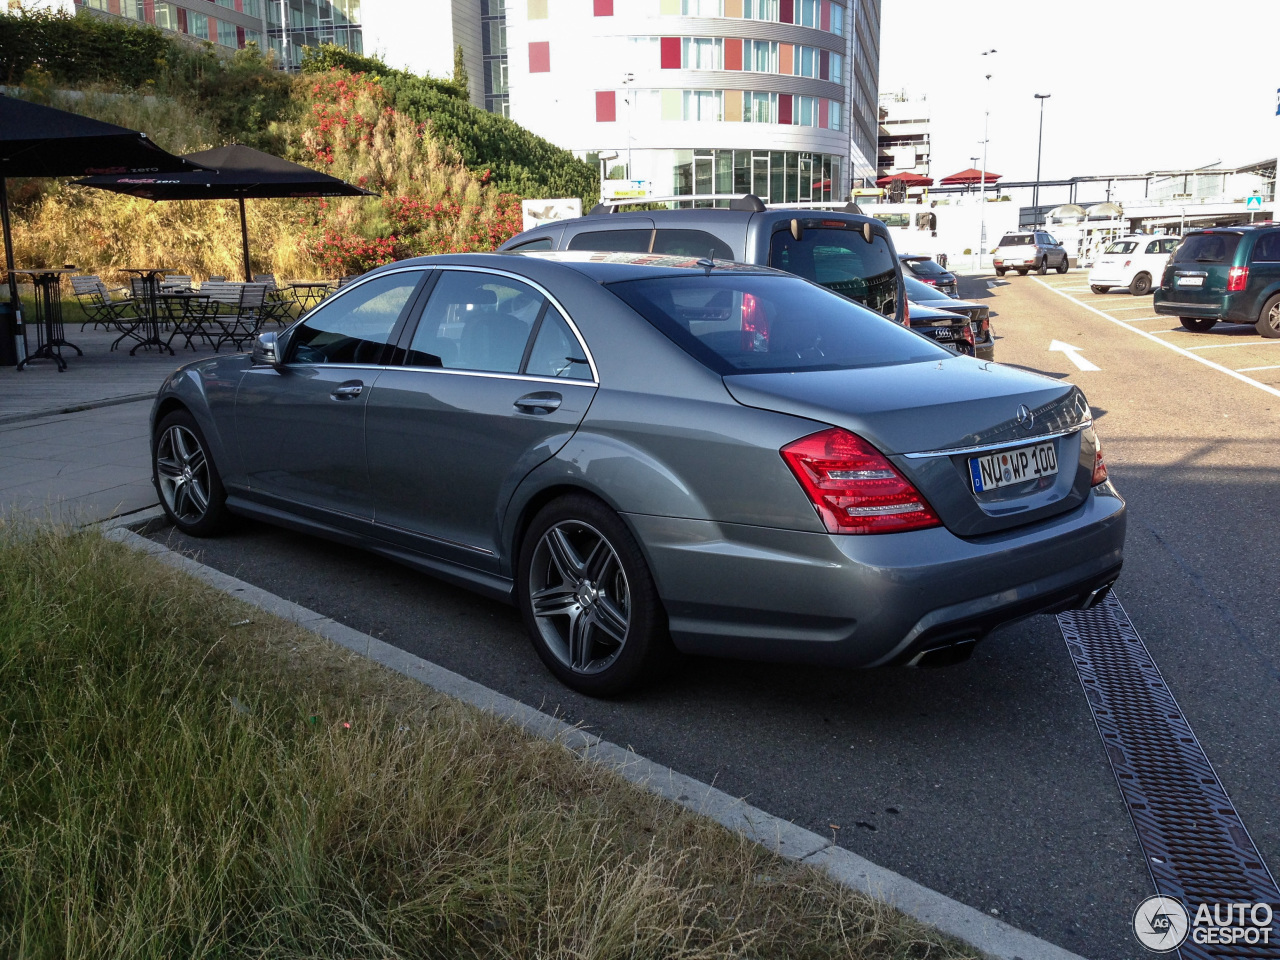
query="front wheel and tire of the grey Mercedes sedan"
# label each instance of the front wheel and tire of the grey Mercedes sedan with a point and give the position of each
(186, 478)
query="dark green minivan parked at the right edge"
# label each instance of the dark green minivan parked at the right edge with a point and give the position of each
(1227, 273)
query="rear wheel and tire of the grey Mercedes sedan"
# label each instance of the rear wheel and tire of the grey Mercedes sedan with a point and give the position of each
(583, 569)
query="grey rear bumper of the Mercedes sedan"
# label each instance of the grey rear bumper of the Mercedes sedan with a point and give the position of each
(761, 593)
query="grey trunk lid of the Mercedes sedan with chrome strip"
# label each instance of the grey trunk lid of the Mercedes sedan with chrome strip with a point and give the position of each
(932, 419)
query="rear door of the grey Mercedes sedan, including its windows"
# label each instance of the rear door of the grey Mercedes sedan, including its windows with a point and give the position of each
(495, 380)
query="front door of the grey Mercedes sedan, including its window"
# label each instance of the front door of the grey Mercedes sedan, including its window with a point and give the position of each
(301, 427)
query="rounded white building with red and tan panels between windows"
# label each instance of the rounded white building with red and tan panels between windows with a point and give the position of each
(776, 98)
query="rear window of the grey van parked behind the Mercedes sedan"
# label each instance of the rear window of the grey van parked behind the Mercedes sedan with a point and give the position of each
(843, 262)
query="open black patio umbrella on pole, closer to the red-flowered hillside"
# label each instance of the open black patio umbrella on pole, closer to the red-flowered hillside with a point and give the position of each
(239, 173)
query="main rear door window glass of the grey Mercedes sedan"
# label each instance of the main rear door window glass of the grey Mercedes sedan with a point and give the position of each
(476, 322)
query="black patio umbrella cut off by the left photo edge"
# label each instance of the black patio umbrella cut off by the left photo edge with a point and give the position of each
(40, 141)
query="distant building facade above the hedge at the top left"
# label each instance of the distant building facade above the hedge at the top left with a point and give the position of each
(284, 26)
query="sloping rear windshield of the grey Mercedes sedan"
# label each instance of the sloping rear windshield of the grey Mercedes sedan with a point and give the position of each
(771, 324)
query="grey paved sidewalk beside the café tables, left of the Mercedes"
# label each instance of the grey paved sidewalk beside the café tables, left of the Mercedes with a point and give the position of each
(75, 446)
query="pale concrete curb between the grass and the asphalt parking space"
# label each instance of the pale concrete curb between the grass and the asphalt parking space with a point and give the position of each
(975, 929)
